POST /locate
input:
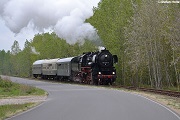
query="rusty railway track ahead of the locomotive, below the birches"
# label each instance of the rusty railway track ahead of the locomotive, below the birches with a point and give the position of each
(157, 91)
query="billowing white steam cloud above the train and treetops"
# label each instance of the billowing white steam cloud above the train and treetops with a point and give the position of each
(65, 17)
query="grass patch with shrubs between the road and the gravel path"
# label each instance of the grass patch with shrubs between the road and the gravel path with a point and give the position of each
(10, 89)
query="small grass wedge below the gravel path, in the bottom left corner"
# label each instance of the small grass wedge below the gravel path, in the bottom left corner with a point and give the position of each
(9, 110)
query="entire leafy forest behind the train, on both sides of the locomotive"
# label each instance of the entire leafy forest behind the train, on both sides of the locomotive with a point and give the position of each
(144, 34)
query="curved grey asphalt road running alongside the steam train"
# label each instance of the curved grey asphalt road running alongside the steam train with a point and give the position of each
(75, 102)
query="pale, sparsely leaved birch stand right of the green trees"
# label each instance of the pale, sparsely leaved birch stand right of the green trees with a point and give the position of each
(149, 45)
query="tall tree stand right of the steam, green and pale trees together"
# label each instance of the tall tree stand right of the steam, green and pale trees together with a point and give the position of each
(145, 36)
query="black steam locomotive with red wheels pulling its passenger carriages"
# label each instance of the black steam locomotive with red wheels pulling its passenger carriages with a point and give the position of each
(91, 68)
